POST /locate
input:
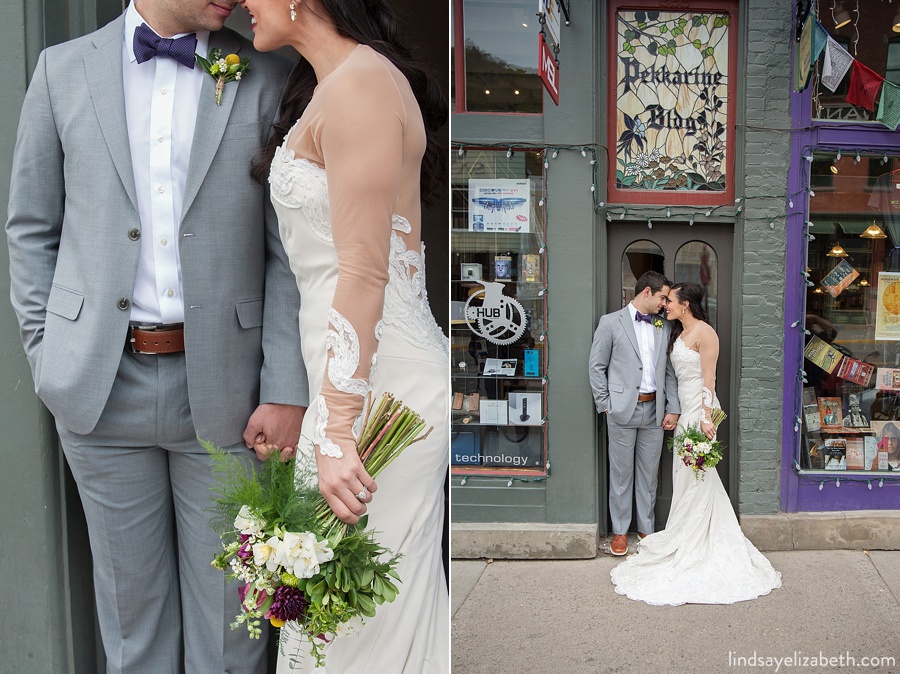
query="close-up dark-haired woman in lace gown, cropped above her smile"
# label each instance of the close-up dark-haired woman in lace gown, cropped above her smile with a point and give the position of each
(353, 155)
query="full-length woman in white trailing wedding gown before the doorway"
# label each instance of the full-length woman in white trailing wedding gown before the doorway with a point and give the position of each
(702, 556)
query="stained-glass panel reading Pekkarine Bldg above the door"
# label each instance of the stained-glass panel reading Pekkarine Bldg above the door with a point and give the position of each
(671, 87)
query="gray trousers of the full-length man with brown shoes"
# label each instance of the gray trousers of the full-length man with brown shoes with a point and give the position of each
(634, 453)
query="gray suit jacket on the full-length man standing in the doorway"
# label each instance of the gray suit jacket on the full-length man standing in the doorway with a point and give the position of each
(614, 369)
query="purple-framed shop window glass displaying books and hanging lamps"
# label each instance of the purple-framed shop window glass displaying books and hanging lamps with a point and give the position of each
(850, 414)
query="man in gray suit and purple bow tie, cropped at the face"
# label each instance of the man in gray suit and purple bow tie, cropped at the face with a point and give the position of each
(156, 306)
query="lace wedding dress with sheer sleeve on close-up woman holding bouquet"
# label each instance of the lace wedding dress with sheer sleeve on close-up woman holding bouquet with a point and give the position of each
(345, 186)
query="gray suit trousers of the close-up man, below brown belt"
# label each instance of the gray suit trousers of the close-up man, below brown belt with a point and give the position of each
(144, 482)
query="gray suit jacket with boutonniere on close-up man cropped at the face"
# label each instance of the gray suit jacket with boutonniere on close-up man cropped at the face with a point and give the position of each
(73, 264)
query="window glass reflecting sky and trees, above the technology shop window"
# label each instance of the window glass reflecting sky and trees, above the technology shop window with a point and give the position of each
(501, 56)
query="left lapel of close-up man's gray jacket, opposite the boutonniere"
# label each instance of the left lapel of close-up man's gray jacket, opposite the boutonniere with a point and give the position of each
(103, 68)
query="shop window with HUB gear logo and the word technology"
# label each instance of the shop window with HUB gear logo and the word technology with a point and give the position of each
(498, 313)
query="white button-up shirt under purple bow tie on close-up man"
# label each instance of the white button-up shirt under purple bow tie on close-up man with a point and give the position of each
(161, 102)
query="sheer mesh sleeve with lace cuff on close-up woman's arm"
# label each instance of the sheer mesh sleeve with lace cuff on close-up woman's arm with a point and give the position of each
(361, 143)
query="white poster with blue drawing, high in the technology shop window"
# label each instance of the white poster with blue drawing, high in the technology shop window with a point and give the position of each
(499, 205)
